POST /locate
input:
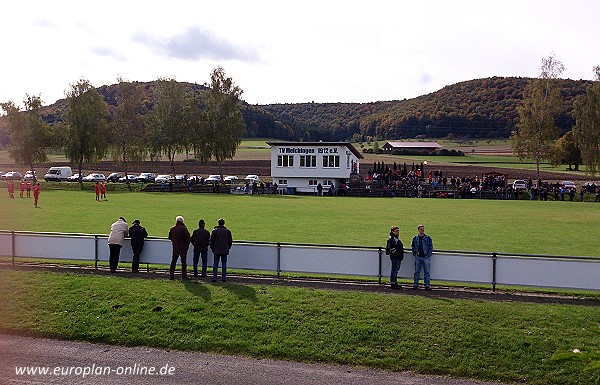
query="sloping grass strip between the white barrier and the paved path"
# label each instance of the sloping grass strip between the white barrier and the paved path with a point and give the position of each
(510, 342)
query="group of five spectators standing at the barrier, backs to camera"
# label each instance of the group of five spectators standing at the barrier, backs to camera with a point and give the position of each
(219, 240)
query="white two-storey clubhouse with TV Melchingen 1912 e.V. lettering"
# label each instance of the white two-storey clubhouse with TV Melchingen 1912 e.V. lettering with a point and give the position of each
(302, 166)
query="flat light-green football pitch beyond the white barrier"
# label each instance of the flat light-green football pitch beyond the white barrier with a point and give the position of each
(528, 227)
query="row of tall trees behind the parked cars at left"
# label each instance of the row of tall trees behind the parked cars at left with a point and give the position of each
(133, 125)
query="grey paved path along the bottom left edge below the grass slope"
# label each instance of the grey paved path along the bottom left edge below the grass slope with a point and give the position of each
(75, 363)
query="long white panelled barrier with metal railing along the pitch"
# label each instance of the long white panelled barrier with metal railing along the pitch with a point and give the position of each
(458, 266)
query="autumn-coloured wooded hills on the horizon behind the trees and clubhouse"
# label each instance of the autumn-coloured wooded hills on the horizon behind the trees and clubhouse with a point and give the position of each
(481, 108)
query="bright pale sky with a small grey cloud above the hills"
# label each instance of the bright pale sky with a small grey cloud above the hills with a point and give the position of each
(323, 51)
